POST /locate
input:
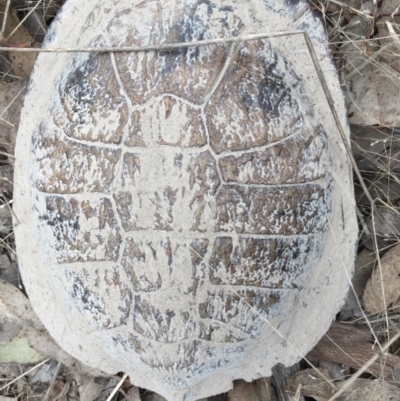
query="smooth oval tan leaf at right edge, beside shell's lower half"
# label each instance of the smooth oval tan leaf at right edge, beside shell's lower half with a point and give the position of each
(384, 284)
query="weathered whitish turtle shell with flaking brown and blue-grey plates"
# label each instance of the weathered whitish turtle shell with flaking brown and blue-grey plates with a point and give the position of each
(183, 215)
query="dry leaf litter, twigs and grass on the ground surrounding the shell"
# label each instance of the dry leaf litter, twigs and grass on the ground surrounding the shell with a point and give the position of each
(358, 357)
